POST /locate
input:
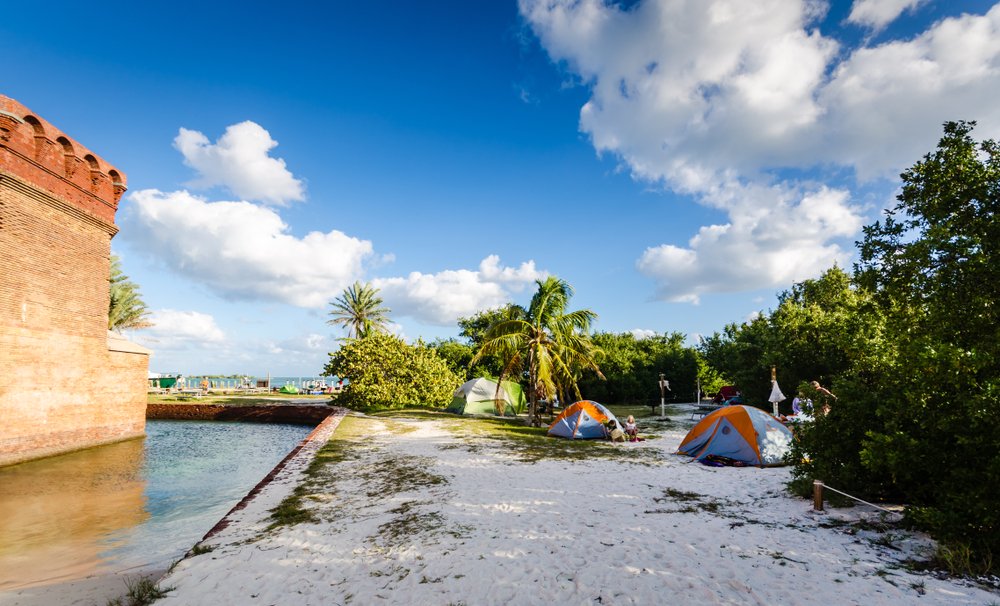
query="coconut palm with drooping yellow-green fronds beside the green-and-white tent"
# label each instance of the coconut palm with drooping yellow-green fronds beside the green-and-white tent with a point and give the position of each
(546, 339)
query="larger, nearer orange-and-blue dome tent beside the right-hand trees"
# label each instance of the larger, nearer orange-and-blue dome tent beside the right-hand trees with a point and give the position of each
(743, 433)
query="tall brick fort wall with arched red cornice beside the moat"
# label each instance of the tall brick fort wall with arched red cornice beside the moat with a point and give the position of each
(62, 388)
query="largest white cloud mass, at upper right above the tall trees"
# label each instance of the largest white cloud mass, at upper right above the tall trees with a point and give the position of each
(714, 98)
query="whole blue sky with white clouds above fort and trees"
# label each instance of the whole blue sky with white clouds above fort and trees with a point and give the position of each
(678, 162)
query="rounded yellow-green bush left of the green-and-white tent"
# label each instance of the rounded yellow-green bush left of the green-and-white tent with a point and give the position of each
(384, 372)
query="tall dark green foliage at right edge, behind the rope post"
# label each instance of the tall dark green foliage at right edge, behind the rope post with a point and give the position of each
(918, 415)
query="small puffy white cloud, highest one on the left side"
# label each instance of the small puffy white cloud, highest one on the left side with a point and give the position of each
(239, 161)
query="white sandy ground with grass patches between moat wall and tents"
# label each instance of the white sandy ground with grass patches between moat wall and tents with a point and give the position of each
(428, 517)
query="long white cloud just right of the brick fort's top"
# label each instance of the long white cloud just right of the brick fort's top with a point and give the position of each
(242, 251)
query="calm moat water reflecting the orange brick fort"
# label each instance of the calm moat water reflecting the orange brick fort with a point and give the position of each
(136, 504)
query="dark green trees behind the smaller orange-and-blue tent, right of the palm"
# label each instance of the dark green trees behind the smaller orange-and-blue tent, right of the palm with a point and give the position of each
(632, 368)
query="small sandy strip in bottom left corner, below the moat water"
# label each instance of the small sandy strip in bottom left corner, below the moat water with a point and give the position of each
(83, 592)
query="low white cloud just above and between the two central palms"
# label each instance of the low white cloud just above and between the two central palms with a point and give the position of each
(440, 299)
